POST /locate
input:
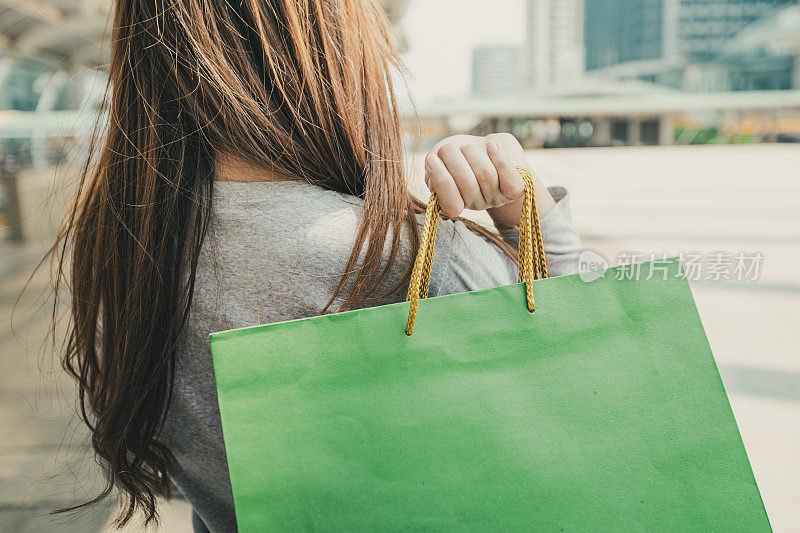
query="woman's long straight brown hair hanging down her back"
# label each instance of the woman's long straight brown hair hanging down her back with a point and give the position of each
(300, 88)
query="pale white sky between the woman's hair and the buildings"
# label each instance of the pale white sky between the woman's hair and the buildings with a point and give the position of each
(441, 35)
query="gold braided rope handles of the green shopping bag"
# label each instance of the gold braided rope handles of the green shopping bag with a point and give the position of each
(532, 261)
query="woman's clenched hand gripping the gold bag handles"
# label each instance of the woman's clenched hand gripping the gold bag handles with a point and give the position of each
(469, 172)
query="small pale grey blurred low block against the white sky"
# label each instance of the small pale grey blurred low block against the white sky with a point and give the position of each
(496, 70)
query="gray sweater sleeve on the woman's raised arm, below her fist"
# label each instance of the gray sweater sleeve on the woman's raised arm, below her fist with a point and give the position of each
(464, 261)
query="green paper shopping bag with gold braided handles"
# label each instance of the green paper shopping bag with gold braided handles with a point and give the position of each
(602, 410)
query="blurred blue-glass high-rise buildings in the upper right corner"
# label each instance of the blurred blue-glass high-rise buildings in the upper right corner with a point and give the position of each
(690, 44)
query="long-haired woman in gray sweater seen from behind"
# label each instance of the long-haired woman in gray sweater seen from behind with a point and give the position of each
(252, 171)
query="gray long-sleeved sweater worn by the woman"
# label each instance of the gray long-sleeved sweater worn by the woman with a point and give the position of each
(275, 251)
